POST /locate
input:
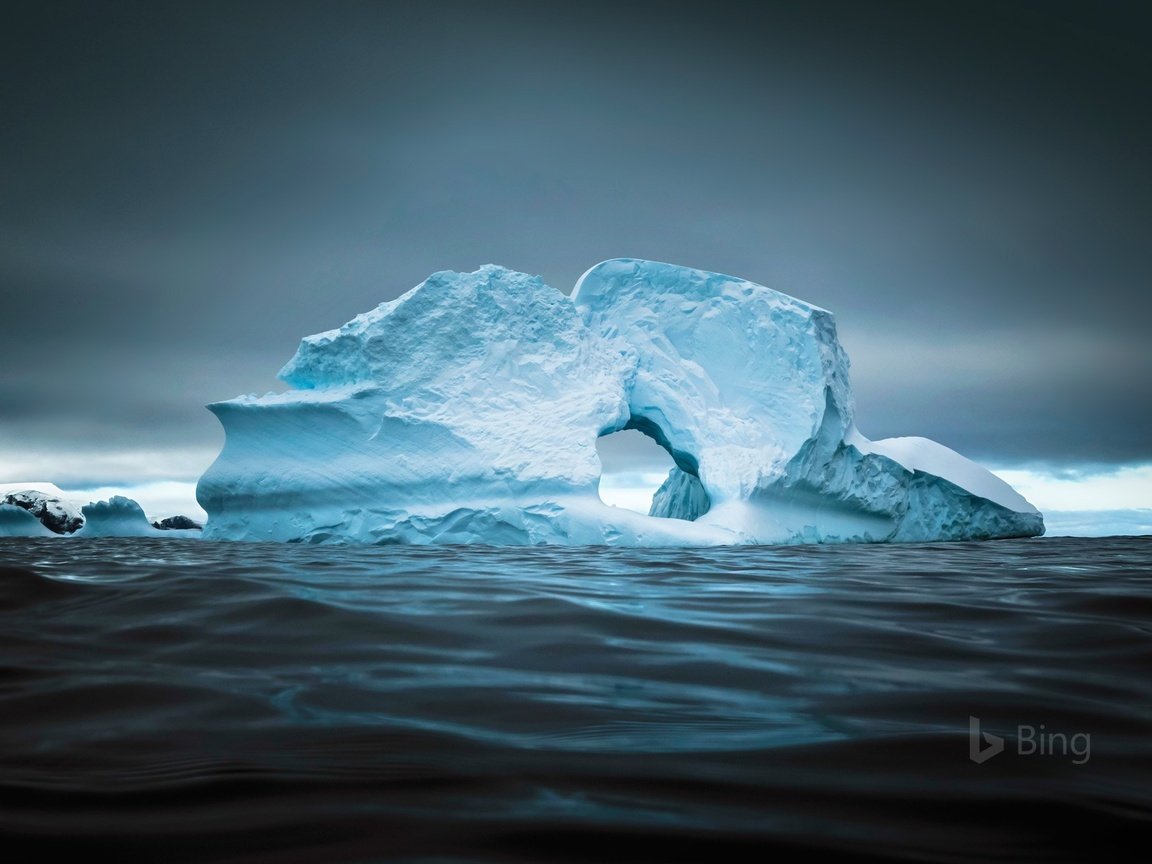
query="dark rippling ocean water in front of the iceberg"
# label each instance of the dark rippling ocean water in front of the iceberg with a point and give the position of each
(181, 701)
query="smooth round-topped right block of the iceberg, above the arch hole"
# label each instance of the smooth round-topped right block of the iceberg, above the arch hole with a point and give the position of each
(731, 377)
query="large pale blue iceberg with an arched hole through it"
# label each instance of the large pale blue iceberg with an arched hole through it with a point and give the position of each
(468, 410)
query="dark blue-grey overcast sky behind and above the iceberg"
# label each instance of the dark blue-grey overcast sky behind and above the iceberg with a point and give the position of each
(188, 190)
